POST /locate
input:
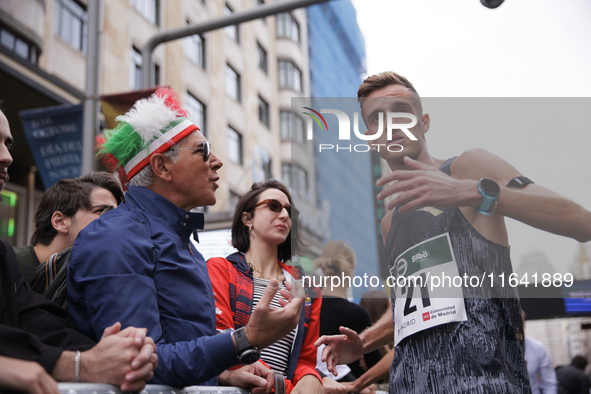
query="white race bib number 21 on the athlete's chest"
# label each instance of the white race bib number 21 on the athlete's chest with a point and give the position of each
(419, 303)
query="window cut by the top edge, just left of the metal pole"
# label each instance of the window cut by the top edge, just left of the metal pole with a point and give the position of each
(71, 23)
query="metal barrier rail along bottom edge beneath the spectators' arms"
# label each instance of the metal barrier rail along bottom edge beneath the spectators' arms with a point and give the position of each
(93, 388)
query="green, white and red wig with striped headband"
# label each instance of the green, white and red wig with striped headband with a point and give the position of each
(153, 125)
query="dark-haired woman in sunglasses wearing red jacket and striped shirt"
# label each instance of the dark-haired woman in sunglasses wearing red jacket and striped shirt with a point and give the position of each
(265, 230)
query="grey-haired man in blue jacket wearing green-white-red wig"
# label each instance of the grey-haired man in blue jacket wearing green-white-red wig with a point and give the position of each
(137, 264)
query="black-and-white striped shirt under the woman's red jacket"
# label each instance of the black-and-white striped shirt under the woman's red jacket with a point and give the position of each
(276, 355)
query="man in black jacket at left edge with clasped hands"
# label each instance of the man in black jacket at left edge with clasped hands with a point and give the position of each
(38, 345)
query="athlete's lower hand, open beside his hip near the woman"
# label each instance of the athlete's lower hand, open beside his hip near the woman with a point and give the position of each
(340, 349)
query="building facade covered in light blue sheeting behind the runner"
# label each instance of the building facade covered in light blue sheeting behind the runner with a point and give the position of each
(343, 181)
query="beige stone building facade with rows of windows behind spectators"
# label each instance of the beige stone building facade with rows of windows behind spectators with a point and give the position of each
(236, 84)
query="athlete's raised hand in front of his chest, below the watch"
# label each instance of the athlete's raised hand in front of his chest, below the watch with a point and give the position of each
(426, 186)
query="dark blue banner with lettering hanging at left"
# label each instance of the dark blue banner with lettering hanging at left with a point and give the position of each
(54, 135)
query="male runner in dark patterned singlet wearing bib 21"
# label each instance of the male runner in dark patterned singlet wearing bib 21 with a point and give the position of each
(448, 216)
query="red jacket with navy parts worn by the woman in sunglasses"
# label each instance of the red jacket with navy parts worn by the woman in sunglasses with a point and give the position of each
(232, 284)
